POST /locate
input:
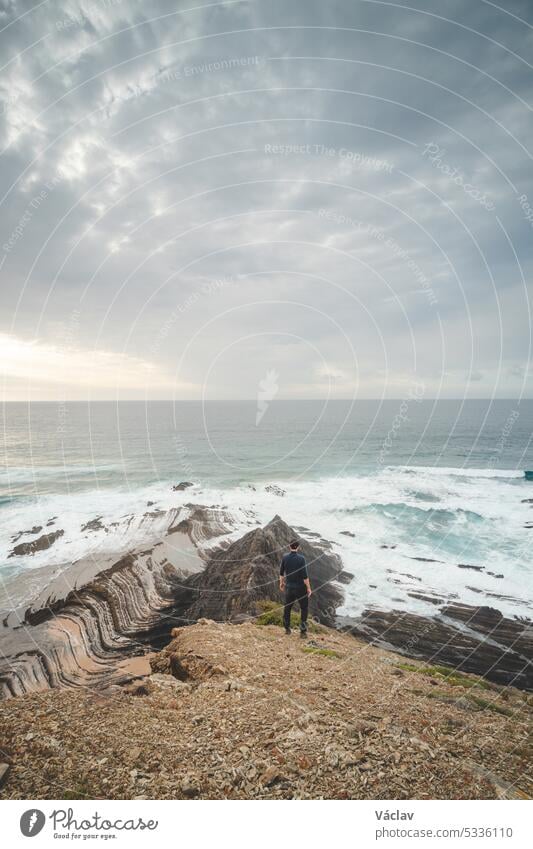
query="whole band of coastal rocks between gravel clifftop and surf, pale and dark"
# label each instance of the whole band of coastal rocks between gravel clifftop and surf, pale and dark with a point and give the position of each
(98, 623)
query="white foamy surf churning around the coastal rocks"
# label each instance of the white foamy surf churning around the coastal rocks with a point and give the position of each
(454, 516)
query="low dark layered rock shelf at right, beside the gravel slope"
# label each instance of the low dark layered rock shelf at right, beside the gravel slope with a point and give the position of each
(469, 639)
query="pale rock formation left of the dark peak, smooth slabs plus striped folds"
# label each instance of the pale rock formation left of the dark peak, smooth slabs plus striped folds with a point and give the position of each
(97, 623)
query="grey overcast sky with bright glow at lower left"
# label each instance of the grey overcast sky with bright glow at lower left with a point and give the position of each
(332, 197)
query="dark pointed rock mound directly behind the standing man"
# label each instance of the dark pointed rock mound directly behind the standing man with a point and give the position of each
(247, 572)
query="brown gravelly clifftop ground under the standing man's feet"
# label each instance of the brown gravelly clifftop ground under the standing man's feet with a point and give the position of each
(262, 715)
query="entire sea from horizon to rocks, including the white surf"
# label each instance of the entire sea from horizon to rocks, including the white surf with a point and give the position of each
(411, 493)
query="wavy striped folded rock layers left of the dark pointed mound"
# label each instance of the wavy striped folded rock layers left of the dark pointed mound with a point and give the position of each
(90, 637)
